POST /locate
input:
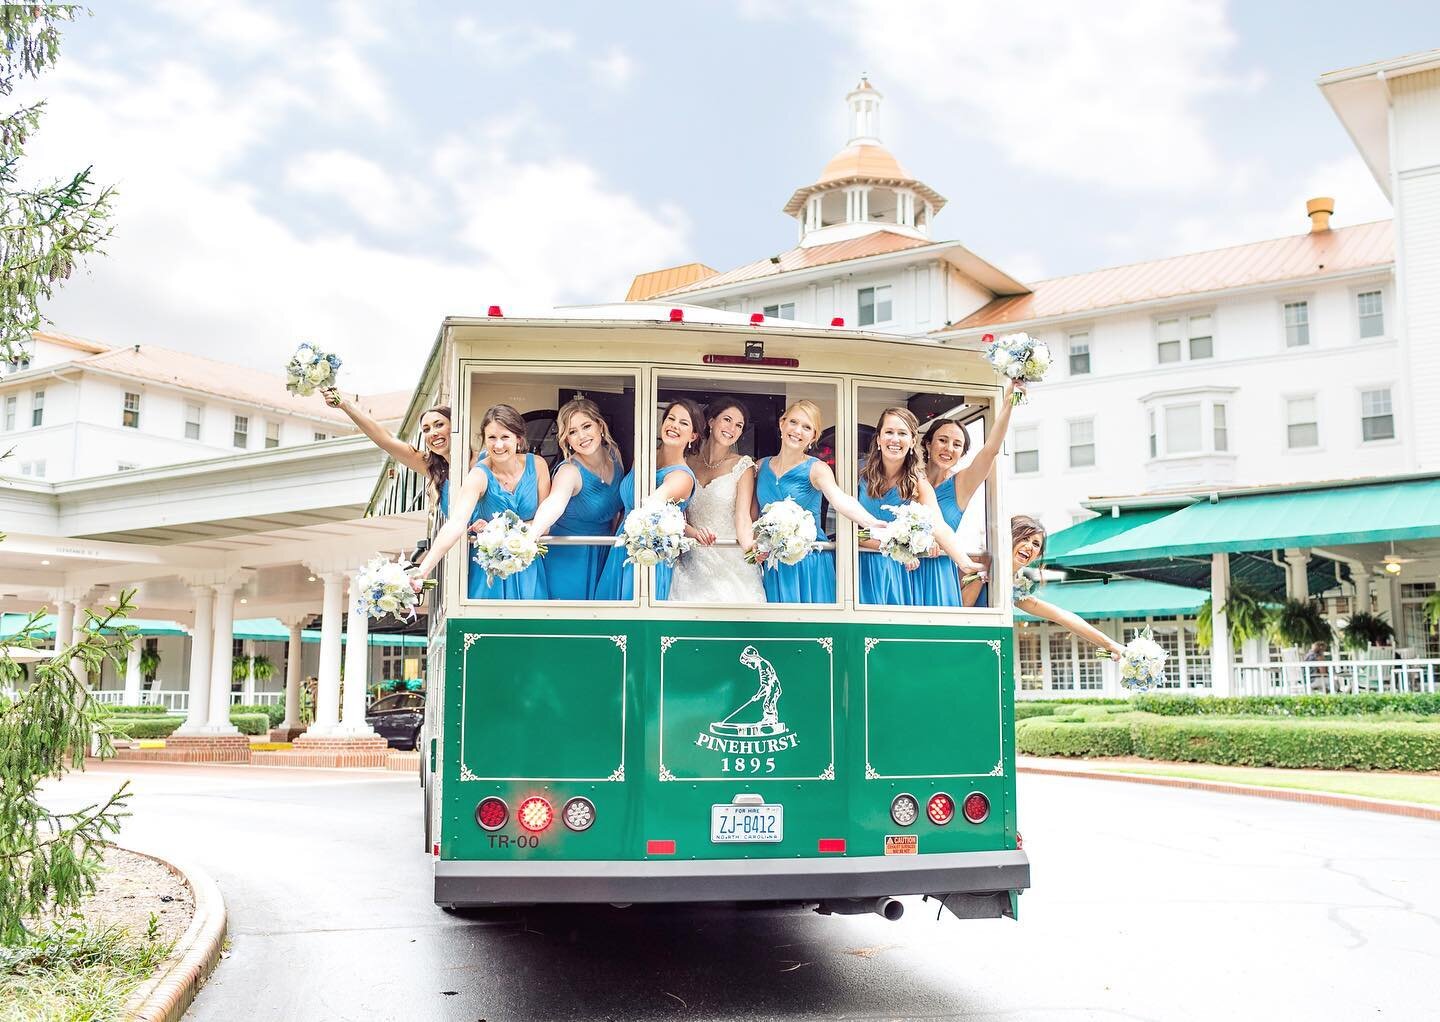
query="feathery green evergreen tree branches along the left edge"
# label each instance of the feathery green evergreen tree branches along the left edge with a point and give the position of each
(48, 862)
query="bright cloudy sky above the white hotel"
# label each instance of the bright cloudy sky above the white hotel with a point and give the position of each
(352, 172)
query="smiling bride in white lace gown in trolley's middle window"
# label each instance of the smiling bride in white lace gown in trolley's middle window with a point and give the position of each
(721, 513)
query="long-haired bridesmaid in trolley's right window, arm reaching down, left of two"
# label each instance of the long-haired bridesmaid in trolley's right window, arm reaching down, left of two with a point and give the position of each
(894, 474)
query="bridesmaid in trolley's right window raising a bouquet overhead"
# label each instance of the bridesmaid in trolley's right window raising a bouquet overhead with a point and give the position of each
(937, 584)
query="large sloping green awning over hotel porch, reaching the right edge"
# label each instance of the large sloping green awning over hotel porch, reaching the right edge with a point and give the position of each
(1245, 523)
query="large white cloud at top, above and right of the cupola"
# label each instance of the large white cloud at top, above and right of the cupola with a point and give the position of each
(1104, 94)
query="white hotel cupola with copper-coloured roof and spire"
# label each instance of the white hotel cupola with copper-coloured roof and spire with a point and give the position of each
(863, 189)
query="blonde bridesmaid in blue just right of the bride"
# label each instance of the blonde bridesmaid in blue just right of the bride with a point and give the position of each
(796, 474)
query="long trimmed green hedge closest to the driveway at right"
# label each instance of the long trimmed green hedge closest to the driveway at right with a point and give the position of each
(1326, 745)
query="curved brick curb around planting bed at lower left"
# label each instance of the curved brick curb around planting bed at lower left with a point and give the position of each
(166, 995)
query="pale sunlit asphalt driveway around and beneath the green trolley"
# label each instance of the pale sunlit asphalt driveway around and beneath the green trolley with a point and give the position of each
(1147, 905)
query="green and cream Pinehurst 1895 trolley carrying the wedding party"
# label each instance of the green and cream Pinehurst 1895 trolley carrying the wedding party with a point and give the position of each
(834, 755)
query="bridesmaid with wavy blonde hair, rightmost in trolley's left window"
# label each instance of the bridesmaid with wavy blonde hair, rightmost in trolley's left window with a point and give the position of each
(584, 500)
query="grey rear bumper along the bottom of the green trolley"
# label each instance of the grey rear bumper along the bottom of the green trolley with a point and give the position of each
(728, 880)
